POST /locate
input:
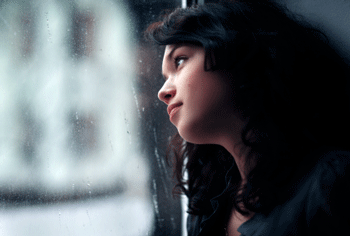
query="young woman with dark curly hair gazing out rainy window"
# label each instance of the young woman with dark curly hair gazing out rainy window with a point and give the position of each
(261, 106)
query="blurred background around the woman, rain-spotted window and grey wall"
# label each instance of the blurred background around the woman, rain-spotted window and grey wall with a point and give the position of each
(82, 134)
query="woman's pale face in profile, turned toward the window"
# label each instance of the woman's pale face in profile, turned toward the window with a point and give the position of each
(200, 103)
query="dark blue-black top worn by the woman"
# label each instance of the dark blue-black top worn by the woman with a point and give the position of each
(318, 205)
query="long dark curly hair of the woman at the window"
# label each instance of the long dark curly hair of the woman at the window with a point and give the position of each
(293, 89)
